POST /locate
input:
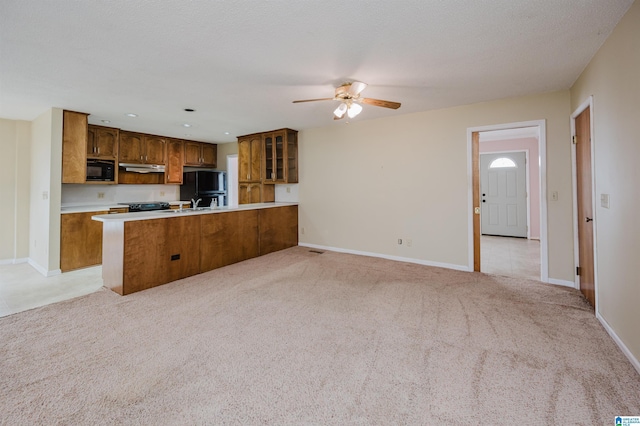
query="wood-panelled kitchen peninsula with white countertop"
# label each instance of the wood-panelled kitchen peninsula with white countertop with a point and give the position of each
(148, 249)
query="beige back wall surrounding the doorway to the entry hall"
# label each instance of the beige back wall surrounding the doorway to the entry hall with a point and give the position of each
(368, 183)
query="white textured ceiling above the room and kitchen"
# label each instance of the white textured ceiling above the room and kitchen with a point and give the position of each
(239, 64)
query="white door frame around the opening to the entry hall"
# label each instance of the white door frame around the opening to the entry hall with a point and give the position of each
(472, 175)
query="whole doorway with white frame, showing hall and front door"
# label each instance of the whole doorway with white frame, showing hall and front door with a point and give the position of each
(507, 218)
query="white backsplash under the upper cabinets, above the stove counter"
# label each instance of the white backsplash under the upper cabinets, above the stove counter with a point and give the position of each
(82, 194)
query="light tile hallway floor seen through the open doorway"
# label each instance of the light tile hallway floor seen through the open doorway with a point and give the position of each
(514, 257)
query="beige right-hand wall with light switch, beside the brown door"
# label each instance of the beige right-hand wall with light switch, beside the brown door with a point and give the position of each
(613, 78)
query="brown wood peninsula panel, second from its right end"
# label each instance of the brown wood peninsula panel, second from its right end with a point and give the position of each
(228, 238)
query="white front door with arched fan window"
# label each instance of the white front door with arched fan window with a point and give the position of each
(503, 194)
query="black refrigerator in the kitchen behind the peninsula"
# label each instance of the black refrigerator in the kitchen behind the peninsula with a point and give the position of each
(204, 184)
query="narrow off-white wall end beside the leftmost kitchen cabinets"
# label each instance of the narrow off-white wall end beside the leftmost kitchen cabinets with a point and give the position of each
(45, 191)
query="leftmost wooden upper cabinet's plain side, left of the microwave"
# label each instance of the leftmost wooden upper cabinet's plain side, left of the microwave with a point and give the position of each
(74, 147)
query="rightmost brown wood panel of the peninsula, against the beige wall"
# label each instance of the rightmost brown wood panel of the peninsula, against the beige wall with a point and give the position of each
(278, 228)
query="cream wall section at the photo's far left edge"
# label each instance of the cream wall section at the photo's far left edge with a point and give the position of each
(14, 187)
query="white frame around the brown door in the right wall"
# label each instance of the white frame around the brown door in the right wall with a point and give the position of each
(574, 177)
